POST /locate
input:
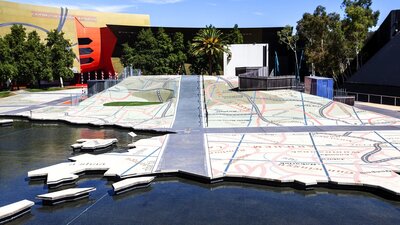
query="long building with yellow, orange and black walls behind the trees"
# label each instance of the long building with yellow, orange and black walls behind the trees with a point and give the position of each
(97, 37)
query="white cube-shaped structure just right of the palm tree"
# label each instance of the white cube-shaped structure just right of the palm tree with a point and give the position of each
(245, 55)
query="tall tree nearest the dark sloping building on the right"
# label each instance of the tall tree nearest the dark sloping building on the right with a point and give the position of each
(359, 18)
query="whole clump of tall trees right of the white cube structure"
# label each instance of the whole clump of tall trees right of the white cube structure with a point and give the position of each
(332, 41)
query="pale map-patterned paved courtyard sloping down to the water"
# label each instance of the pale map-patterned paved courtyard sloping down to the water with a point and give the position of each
(281, 136)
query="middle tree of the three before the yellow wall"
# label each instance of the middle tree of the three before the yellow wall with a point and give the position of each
(36, 60)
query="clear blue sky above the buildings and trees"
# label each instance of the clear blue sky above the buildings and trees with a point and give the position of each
(220, 13)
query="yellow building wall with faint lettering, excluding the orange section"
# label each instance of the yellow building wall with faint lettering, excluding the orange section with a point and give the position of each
(48, 18)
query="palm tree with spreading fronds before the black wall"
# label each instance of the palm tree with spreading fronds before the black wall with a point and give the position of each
(209, 42)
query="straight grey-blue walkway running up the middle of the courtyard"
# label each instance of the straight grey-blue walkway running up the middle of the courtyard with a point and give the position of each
(185, 151)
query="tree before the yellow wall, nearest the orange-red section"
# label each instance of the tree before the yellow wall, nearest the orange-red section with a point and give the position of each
(61, 54)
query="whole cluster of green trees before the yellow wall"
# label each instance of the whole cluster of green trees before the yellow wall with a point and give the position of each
(25, 59)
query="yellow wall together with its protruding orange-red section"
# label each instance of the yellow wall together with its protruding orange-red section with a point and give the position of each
(93, 42)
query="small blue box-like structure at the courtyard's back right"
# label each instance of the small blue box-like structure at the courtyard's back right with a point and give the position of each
(320, 86)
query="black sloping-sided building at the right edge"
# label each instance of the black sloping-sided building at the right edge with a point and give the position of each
(379, 62)
